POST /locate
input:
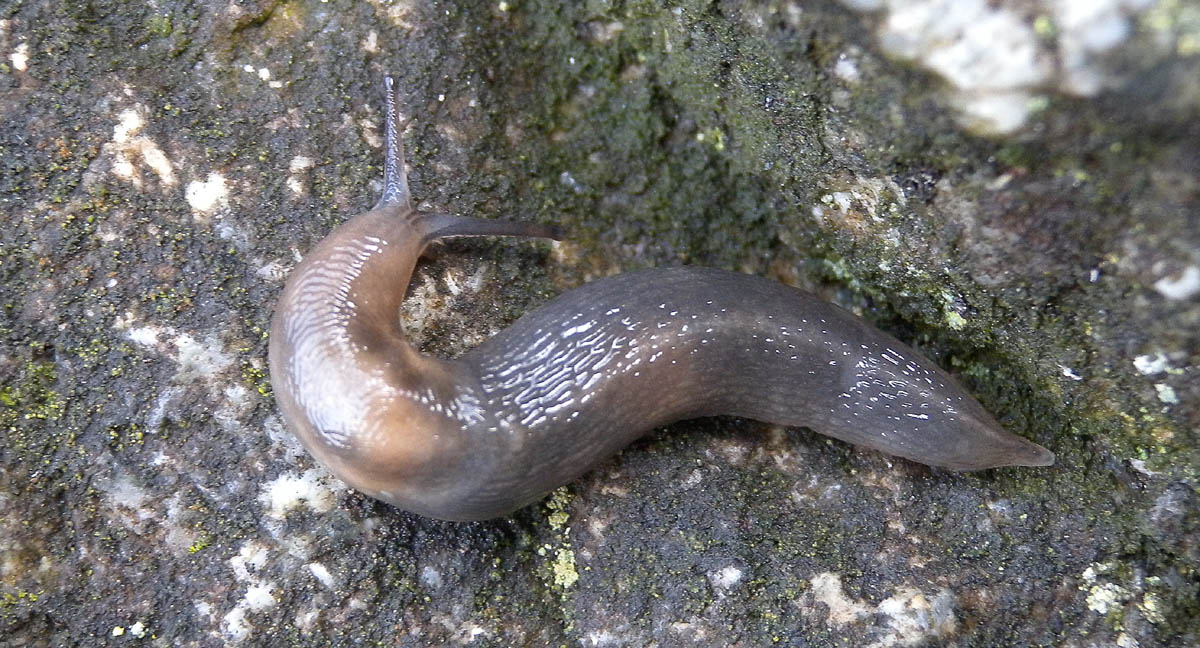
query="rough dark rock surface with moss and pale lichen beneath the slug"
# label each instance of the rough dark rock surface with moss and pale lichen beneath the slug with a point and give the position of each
(163, 165)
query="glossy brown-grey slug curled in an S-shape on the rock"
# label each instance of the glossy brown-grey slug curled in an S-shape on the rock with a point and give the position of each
(580, 379)
